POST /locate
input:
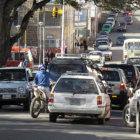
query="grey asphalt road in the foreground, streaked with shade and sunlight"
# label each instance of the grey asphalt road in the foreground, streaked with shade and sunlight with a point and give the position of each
(15, 124)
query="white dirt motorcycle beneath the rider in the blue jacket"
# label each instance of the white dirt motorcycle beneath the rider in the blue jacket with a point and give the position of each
(39, 102)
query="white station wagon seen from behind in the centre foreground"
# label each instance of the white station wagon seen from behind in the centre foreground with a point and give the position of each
(79, 94)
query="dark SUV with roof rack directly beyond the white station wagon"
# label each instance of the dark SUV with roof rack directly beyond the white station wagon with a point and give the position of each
(69, 63)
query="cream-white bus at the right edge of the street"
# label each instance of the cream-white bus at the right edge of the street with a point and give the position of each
(131, 47)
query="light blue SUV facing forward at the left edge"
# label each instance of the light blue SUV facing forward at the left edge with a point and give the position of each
(15, 86)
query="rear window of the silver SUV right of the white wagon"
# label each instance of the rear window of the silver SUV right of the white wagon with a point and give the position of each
(111, 75)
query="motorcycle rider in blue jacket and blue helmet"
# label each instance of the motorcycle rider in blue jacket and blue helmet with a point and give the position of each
(42, 79)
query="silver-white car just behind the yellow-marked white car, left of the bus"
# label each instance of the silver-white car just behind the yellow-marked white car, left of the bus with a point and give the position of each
(106, 51)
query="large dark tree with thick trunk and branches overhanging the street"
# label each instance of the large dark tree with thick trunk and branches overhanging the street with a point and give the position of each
(8, 10)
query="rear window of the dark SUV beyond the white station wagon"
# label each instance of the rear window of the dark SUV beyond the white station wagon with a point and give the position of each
(58, 69)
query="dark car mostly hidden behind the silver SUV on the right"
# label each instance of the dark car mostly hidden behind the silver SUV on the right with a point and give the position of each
(131, 72)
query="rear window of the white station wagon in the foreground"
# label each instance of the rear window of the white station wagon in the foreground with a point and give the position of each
(74, 85)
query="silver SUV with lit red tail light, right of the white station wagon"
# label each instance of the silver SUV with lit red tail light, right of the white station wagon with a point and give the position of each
(117, 79)
